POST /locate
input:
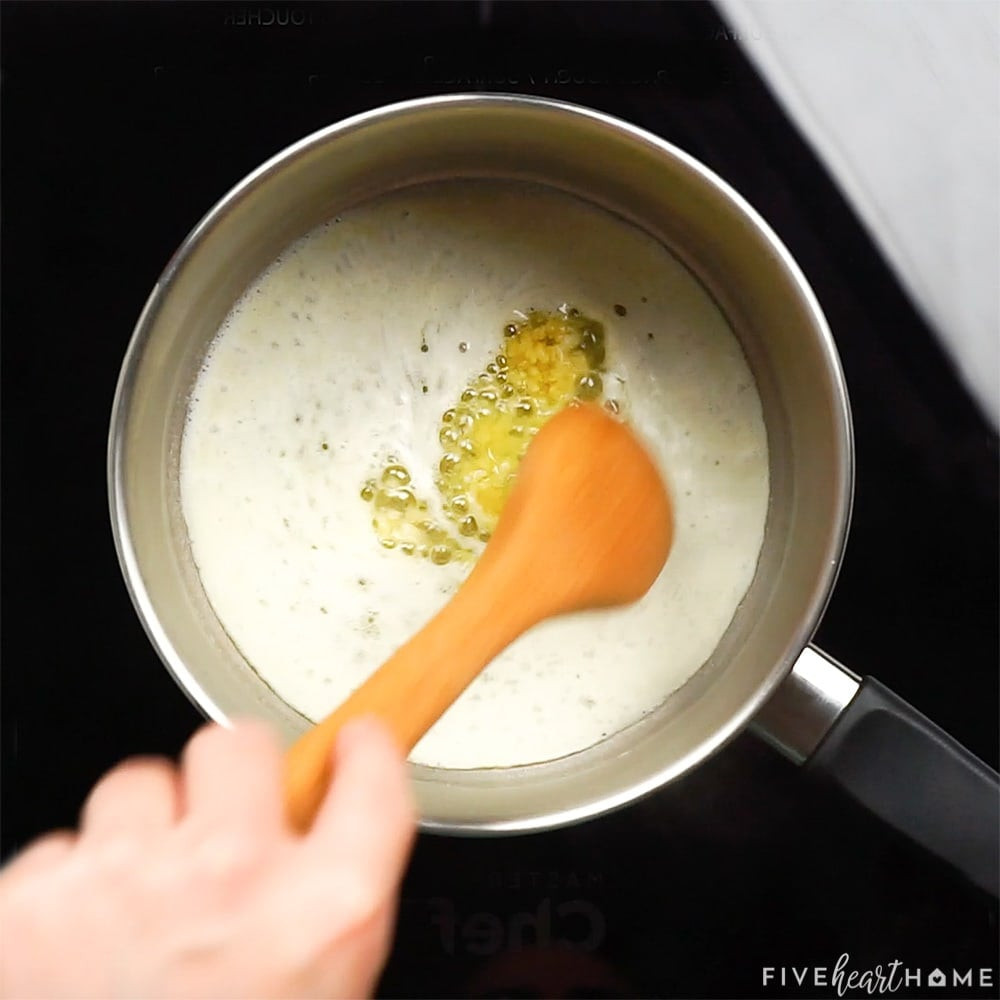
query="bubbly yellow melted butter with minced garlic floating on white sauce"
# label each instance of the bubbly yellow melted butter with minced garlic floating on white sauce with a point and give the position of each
(546, 360)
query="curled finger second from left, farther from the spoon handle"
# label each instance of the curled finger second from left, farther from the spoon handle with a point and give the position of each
(135, 799)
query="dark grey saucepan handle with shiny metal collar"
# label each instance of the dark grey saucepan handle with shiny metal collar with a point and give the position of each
(892, 760)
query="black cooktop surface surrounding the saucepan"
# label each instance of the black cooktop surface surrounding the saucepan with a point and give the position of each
(122, 124)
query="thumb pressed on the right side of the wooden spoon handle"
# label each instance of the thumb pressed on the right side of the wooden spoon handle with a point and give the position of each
(367, 821)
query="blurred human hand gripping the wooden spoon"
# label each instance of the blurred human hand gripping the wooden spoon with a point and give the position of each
(187, 882)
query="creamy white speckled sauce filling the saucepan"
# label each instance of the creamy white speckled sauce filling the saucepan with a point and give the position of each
(325, 349)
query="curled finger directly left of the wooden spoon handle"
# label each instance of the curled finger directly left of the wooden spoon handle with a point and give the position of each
(232, 778)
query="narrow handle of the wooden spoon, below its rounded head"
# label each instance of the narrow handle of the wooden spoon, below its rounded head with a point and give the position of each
(412, 689)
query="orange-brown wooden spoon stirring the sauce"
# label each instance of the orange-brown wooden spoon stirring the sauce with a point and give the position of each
(588, 524)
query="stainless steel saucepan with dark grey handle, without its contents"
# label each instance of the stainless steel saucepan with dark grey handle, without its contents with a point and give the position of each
(764, 672)
